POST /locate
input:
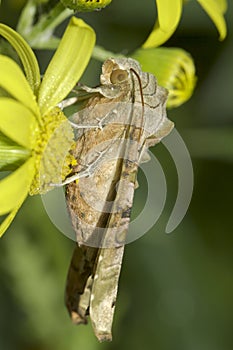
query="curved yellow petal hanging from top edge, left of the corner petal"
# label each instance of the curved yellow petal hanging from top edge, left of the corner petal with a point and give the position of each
(169, 13)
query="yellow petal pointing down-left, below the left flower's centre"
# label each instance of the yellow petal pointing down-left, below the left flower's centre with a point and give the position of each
(14, 188)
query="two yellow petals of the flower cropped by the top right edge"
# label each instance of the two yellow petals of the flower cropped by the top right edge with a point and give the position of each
(169, 15)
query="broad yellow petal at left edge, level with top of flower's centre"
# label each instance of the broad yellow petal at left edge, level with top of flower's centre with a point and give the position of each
(17, 122)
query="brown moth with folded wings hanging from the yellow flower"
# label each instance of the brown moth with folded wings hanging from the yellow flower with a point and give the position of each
(122, 117)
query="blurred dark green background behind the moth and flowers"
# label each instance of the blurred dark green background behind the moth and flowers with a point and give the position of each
(176, 290)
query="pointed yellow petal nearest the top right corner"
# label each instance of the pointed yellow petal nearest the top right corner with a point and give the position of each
(216, 9)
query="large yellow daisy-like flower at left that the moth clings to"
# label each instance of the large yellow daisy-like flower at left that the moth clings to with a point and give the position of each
(29, 115)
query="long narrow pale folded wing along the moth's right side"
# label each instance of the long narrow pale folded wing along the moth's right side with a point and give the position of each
(109, 260)
